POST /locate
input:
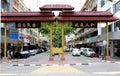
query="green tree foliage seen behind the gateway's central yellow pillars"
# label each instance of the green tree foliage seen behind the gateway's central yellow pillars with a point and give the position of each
(57, 31)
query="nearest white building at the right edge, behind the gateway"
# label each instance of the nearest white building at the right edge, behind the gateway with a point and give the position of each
(112, 6)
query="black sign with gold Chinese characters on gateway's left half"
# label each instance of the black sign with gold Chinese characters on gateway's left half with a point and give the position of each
(27, 24)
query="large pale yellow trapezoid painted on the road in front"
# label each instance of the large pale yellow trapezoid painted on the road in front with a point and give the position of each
(56, 69)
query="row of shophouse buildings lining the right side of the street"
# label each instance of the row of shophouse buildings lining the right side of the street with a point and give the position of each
(94, 37)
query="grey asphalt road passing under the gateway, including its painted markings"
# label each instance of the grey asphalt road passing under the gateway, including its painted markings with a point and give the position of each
(39, 65)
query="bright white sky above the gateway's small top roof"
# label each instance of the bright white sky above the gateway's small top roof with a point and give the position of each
(35, 4)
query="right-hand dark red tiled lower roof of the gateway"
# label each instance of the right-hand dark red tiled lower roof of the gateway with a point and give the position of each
(87, 16)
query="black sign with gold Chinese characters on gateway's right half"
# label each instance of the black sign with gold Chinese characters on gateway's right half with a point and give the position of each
(84, 24)
